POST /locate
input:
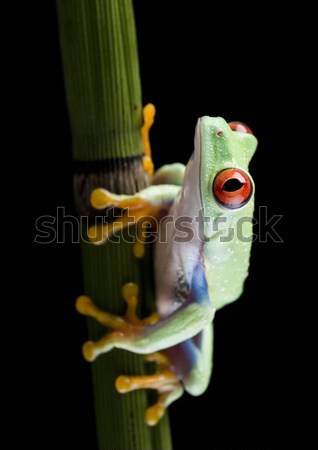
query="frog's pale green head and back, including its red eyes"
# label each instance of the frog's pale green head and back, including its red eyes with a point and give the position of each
(224, 151)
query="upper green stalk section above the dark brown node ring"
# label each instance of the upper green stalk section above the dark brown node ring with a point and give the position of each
(102, 77)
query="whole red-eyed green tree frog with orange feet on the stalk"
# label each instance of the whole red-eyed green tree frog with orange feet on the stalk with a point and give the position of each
(201, 259)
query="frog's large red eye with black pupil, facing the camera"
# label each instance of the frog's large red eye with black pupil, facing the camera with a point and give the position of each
(232, 188)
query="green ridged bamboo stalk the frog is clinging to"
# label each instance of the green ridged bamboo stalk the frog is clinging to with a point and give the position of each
(103, 92)
